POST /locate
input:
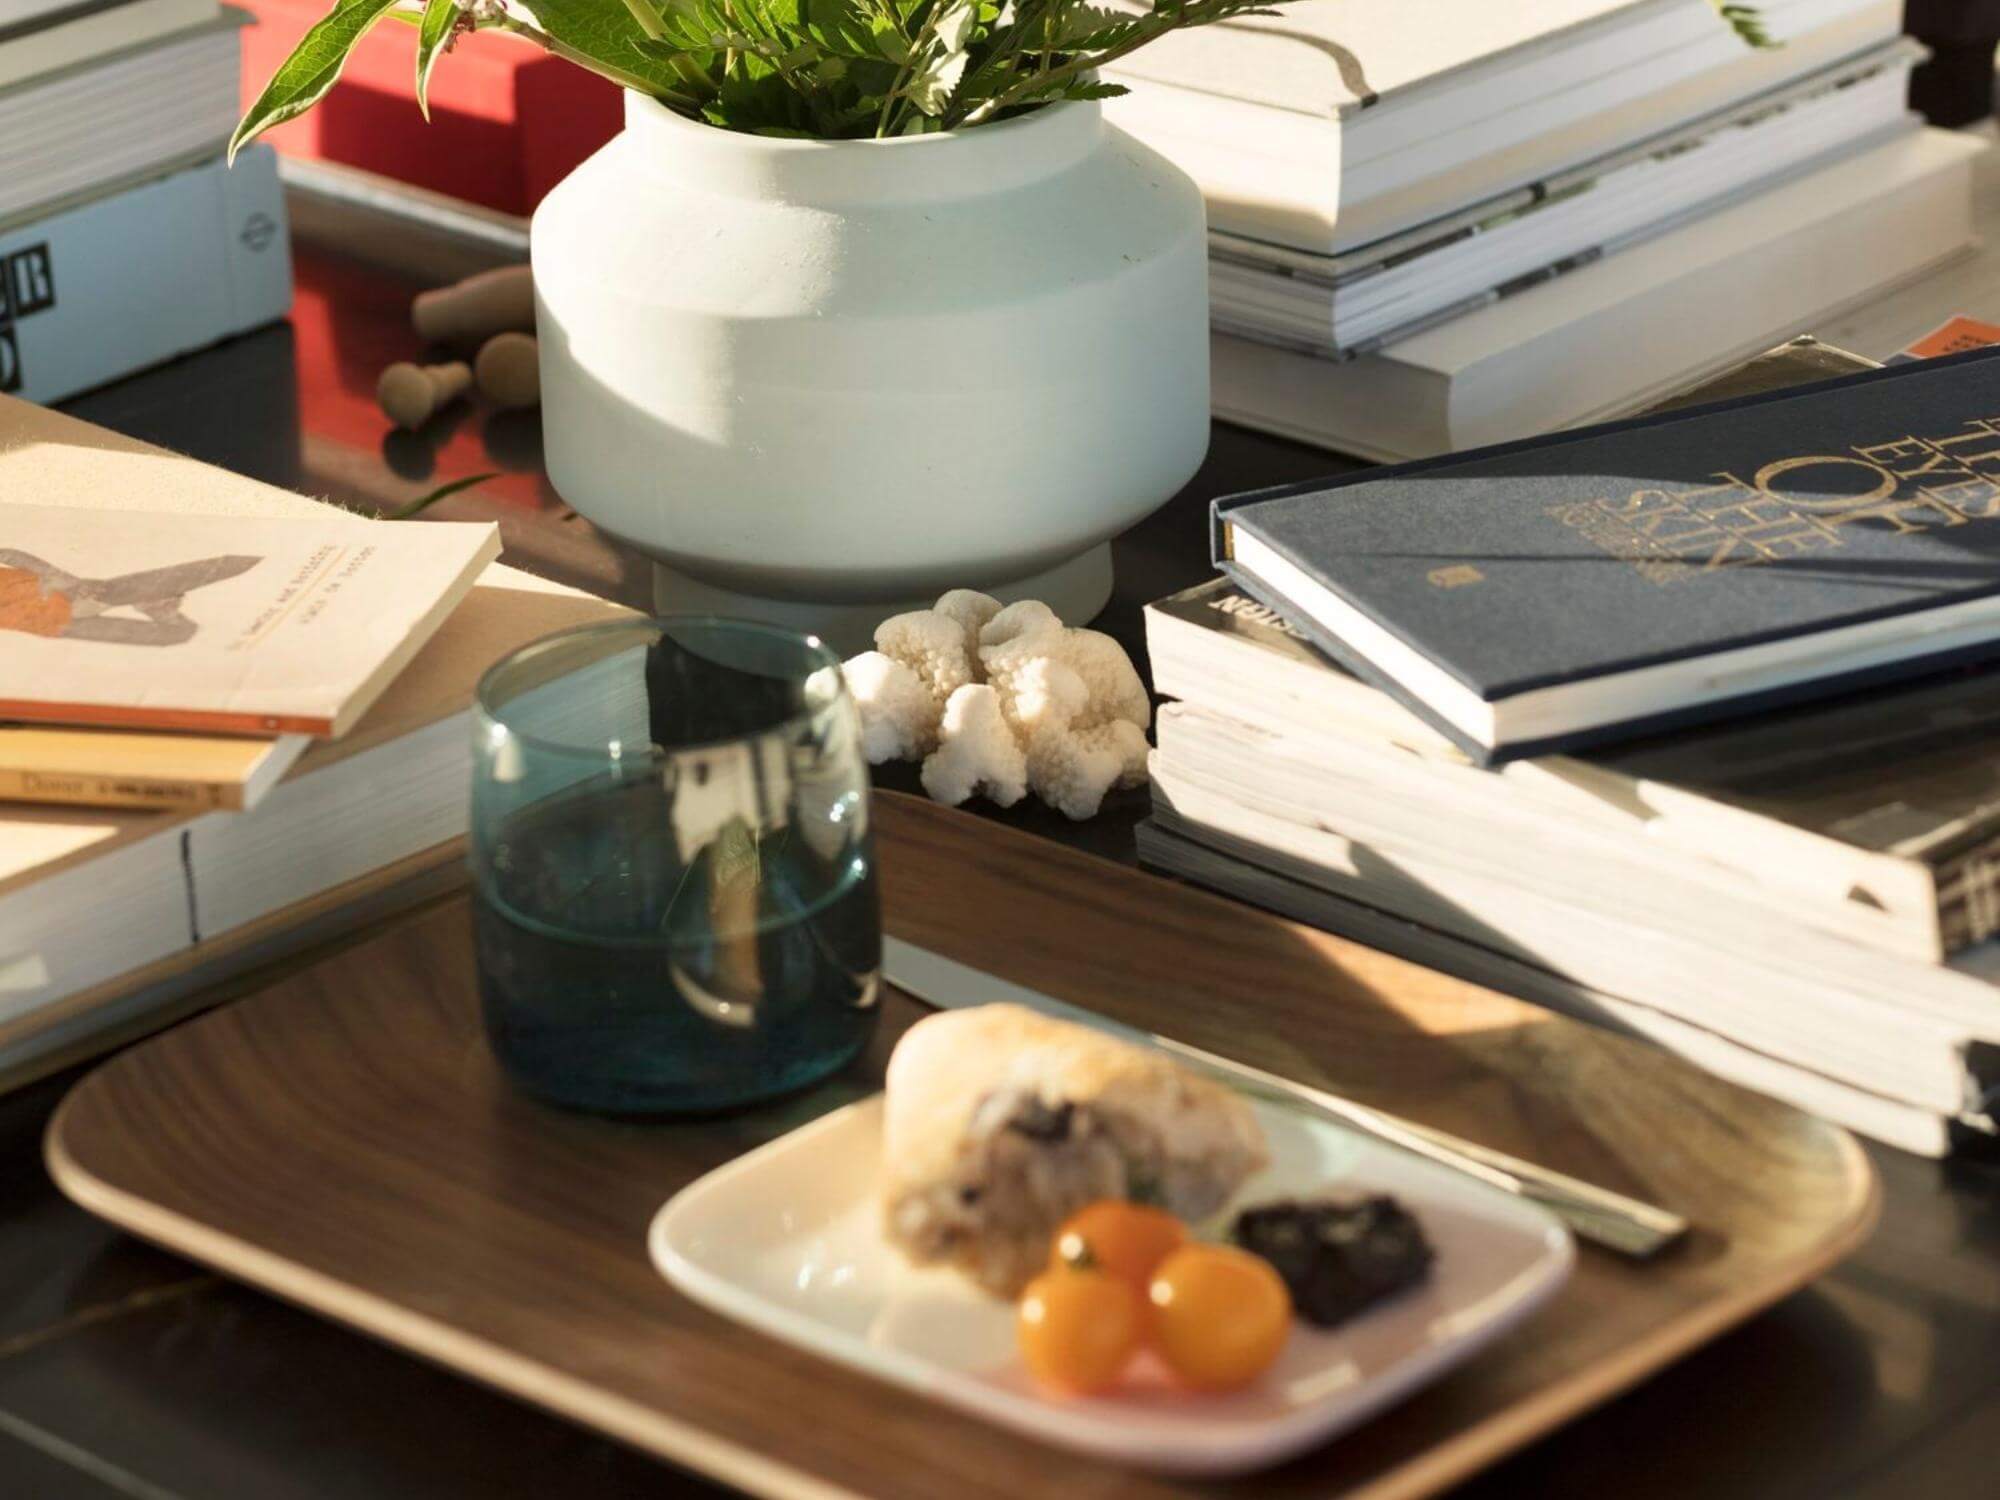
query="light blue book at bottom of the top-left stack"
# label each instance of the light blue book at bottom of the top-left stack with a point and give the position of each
(129, 281)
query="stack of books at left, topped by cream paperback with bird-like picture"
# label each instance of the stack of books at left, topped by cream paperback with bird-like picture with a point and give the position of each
(237, 723)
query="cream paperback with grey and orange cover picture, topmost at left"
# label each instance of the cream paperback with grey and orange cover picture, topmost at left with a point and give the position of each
(205, 623)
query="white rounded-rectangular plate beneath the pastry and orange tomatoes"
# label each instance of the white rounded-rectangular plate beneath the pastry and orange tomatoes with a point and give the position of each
(789, 1241)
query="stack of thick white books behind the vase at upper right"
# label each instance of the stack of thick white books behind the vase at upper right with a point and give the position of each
(1447, 225)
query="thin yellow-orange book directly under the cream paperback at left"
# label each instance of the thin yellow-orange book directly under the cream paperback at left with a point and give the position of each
(129, 769)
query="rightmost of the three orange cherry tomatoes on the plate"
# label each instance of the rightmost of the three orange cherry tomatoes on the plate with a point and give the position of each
(1219, 1315)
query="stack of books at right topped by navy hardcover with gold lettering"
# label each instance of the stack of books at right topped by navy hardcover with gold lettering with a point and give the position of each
(1689, 725)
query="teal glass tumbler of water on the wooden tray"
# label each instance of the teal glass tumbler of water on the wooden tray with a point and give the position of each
(675, 883)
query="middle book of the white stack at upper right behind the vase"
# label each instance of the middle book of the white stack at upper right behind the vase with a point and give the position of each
(1359, 303)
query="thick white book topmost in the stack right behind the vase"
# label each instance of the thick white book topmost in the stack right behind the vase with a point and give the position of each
(1345, 121)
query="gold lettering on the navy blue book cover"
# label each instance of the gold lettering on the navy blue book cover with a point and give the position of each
(1797, 507)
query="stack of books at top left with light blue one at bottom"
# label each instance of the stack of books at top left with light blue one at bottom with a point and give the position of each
(125, 239)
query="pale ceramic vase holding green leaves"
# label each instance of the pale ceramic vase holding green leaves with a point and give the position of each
(825, 381)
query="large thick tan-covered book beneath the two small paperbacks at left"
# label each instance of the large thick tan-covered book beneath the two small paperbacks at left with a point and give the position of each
(119, 921)
